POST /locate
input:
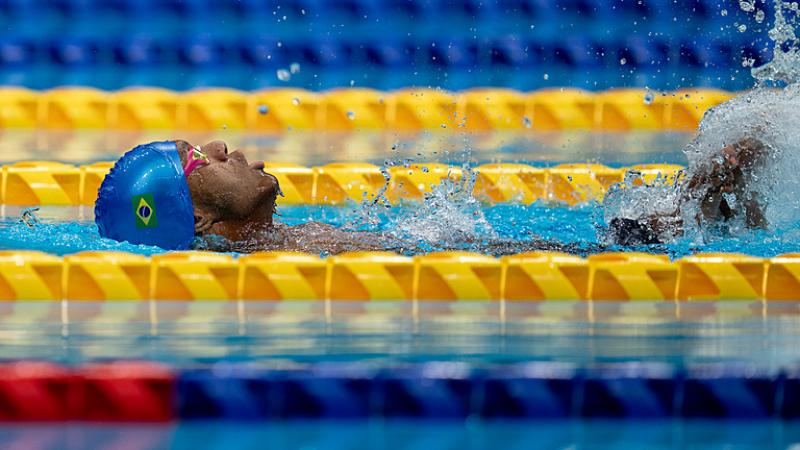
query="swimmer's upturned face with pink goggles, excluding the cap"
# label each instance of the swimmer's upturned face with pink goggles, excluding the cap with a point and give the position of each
(229, 188)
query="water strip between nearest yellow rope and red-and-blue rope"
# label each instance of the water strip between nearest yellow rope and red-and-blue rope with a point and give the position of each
(185, 334)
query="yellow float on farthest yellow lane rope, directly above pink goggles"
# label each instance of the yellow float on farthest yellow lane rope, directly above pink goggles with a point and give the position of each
(212, 109)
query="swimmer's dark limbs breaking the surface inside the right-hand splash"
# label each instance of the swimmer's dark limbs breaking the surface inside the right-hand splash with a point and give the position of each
(705, 191)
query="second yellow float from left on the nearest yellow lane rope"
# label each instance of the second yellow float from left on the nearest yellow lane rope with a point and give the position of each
(107, 276)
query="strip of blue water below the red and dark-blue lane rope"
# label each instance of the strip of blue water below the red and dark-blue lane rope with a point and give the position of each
(401, 435)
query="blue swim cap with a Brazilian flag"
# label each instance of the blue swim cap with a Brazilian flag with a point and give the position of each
(145, 199)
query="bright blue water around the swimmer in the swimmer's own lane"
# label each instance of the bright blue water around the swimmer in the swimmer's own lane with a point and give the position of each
(64, 231)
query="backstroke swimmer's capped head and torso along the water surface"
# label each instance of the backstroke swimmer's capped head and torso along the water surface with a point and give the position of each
(171, 193)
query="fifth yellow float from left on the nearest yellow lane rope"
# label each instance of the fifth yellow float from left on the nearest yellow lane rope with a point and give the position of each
(371, 276)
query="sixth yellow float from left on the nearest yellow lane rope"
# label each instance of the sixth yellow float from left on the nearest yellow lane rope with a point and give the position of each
(457, 276)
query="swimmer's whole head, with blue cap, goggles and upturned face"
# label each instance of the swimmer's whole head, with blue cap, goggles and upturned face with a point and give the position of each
(166, 193)
